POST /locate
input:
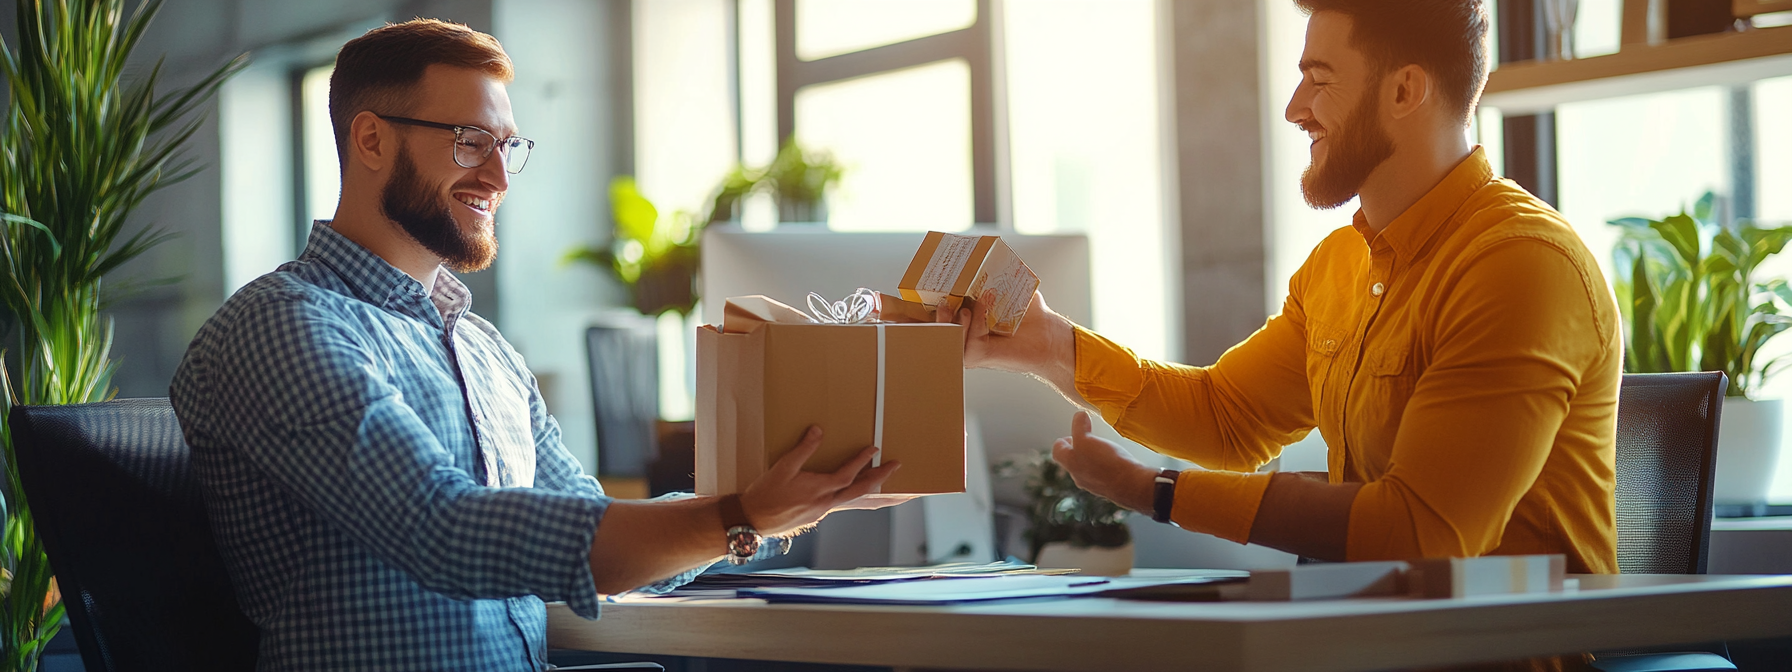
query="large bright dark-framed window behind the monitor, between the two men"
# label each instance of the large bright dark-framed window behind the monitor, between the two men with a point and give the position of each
(954, 114)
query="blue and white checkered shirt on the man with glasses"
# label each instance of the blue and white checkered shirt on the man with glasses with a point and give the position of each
(384, 481)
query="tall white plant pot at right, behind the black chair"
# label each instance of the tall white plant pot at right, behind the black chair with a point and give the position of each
(1748, 451)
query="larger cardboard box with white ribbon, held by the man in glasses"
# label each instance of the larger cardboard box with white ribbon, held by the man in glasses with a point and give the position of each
(770, 374)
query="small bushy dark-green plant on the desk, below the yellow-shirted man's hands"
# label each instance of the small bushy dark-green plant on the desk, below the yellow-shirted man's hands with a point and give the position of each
(1058, 512)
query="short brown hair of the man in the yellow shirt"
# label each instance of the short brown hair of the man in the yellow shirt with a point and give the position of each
(1449, 39)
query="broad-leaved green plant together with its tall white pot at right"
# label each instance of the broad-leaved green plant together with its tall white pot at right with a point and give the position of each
(1691, 302)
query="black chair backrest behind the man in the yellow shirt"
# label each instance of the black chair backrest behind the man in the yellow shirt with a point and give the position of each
(1667, 456)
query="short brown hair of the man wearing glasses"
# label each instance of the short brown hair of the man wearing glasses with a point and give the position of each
(381, 69)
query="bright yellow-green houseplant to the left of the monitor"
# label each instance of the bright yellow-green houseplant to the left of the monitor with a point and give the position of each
(653, 255)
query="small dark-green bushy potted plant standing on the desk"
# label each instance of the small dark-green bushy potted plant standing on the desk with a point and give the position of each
(1067, 526)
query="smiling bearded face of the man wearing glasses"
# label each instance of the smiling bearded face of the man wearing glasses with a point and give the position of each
(444, 207)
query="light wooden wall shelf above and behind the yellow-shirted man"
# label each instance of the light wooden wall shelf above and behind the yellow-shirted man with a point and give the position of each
(1718, 60)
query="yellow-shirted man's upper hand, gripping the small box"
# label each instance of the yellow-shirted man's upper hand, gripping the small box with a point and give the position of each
(1046, 345)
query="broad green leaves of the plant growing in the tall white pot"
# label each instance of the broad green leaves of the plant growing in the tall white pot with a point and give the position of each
(1691, 300)
